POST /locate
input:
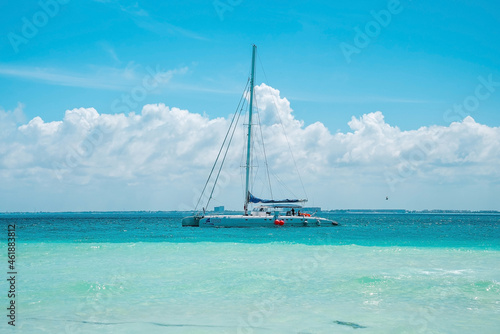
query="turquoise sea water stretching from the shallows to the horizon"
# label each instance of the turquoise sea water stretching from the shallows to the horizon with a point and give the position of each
(143, 272)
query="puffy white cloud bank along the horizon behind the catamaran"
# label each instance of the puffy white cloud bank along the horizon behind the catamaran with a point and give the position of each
(159, 160)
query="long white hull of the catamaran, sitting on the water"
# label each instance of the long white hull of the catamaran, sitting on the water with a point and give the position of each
(256, 221)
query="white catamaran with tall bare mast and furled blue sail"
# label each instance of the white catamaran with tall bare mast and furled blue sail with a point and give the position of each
(268, 213)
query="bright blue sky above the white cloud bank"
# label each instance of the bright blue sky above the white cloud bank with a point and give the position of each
(419, 60)
